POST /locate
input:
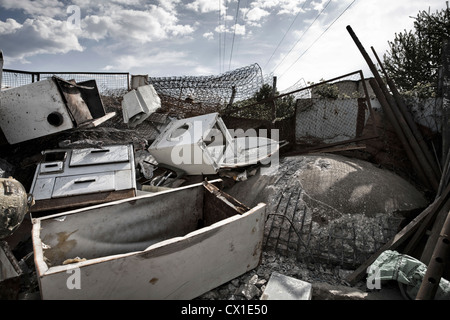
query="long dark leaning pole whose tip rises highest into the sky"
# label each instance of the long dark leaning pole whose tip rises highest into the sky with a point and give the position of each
(399, 120)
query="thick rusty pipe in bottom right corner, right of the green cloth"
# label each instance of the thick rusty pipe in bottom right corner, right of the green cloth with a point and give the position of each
(436, 267)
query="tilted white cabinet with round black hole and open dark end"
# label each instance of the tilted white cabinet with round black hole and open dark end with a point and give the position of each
(49, 106)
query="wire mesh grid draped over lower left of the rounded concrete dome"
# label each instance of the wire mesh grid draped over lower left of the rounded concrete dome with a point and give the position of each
(294, 226)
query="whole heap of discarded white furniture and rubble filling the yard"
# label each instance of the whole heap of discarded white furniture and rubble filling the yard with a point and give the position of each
(124, 201)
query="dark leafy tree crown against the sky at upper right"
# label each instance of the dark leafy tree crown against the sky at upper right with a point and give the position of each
(414, 56)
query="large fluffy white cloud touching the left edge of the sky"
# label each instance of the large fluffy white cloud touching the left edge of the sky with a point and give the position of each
(36, 36)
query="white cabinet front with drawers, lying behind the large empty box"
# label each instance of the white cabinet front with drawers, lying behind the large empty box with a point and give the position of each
(68, 178)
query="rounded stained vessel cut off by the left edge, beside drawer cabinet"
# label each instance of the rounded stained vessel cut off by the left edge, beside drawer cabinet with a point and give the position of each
(15, 204)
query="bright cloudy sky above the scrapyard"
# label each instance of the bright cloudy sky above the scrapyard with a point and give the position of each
(294, 40)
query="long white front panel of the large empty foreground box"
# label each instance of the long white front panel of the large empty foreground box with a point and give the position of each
(179, 268)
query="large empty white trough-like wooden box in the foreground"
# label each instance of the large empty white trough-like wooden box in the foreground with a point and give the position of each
(175, 244)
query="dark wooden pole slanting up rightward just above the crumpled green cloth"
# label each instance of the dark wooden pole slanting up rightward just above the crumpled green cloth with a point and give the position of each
(393, 244)
